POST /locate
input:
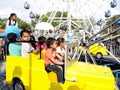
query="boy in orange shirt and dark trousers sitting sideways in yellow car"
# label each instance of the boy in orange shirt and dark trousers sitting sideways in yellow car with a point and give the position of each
(51, 62)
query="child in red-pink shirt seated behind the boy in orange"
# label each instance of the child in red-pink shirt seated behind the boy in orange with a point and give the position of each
(42, 43)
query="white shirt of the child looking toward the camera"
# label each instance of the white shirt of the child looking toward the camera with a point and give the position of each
(26, 48)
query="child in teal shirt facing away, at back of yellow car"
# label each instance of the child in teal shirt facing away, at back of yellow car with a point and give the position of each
(13, 48)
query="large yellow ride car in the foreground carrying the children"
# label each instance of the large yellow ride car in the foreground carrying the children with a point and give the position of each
(29, 74)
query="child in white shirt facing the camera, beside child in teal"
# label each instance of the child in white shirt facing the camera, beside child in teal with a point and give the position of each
(26, 47)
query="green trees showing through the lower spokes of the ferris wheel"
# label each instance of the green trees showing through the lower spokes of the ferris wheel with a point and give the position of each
(55, 20)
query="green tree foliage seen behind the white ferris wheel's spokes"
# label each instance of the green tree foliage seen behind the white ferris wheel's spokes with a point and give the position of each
(45, 18)
